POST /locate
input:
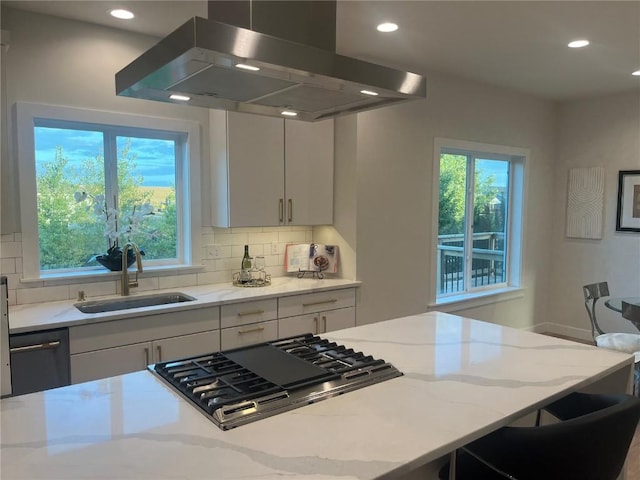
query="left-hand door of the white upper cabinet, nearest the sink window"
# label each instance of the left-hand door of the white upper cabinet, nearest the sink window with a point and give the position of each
(256, 170)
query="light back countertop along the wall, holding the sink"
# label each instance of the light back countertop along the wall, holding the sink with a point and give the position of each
(39, 316)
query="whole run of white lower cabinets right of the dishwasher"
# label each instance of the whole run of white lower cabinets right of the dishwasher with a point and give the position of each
(105, 349)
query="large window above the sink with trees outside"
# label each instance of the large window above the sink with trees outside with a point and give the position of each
(92, 180)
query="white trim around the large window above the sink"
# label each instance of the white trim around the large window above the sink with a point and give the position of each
(188, 186)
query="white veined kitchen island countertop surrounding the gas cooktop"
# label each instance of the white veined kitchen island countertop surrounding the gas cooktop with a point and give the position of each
(462, 378)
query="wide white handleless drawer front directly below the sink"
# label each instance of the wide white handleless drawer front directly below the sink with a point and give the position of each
(97, 336)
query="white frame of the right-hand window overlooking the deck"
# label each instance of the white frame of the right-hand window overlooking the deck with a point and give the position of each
(514, 246)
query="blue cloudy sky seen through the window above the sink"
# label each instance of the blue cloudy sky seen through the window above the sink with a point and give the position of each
(155, 158)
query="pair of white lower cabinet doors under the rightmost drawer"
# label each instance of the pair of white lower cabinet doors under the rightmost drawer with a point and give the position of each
(316, 323)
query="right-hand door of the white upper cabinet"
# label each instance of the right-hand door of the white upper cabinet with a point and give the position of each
(309, 172)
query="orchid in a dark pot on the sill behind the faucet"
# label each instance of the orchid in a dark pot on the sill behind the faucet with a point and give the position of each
(118, 225)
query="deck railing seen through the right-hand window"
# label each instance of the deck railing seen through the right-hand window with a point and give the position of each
(487, 265)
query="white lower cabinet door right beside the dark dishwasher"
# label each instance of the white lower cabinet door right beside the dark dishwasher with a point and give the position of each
(110, 362)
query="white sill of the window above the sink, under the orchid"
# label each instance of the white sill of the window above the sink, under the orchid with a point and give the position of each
(104, 275)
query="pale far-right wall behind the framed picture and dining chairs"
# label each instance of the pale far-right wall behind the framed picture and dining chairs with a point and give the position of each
(597, 132)
